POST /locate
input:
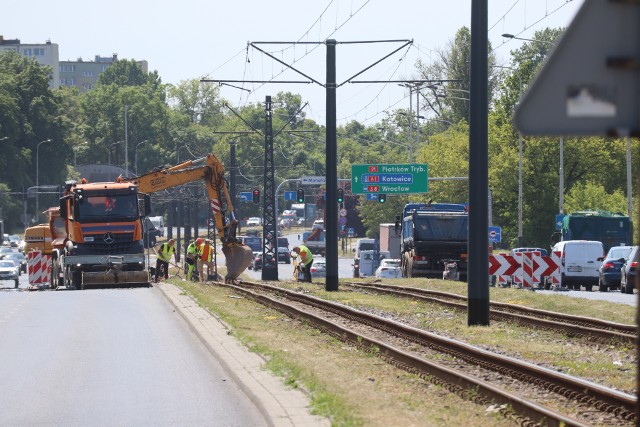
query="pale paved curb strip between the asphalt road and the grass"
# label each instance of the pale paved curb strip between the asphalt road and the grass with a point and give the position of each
(279, 405)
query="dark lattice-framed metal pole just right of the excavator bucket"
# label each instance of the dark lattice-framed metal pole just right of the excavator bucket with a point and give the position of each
(270, 239)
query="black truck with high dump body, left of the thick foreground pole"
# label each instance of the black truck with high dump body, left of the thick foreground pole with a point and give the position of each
(433, 235)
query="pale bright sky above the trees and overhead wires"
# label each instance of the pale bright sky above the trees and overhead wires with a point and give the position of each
(195, 39)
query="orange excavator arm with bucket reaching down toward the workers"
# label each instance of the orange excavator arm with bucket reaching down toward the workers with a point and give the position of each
(211, 171)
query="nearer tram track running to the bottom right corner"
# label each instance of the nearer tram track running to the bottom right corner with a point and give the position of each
(473, 373)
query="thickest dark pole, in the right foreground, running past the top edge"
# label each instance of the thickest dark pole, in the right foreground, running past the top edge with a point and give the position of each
(478, 275)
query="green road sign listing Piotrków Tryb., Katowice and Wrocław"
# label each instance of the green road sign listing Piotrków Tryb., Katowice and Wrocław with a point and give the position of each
(389, 179)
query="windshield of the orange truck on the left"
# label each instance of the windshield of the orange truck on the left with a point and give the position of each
(120, 207)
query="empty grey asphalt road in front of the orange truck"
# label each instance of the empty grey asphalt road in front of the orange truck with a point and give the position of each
(109, 357)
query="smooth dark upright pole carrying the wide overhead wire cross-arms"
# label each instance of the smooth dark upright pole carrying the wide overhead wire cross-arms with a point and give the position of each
(331, 207)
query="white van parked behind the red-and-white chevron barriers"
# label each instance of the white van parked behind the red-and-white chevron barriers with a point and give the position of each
(579, 263)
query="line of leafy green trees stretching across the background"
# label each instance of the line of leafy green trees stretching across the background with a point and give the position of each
(170, 123)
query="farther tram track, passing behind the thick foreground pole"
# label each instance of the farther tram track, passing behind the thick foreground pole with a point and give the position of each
(587, 327)
